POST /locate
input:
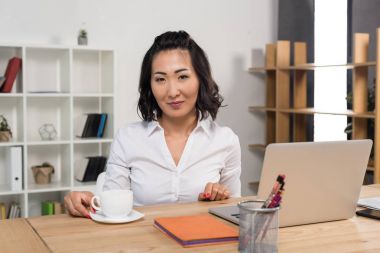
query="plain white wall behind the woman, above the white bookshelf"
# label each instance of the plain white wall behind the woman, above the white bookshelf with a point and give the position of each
(228, 30)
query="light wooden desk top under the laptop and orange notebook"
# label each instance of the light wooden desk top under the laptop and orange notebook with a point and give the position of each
(62, 233)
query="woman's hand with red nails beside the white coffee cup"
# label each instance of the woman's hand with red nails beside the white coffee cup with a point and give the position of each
(77, 203)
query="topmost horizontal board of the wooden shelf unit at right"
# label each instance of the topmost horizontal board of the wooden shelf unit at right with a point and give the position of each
(313, 66)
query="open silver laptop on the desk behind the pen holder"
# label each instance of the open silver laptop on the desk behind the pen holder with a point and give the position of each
(323, 180)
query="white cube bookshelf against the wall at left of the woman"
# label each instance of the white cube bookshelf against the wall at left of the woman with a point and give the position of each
(57, 85)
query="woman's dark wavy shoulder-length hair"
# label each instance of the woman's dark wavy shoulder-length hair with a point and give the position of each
(208, 100)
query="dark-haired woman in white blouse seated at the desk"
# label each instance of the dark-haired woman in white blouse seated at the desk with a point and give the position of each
(177, 153)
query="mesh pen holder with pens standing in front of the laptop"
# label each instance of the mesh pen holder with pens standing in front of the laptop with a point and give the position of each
(258, 221)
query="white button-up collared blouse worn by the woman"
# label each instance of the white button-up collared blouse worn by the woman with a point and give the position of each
(141, 161)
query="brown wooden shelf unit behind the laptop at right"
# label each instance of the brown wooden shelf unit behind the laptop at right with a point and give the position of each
(278, 72)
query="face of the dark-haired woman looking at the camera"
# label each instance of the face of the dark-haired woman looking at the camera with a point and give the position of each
(174, 83)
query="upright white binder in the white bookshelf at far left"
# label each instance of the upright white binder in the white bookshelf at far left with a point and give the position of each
(14, 167)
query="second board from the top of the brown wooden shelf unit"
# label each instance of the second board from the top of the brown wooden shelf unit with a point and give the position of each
(311, 111)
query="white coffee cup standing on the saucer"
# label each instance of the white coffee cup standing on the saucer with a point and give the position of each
(114, 203)
